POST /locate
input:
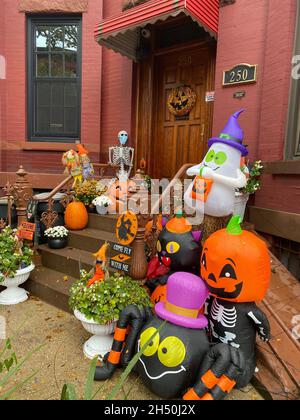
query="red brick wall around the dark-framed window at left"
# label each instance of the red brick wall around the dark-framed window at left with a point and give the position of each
(15, 136)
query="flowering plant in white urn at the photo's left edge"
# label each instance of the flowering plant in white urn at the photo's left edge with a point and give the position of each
(15, 267)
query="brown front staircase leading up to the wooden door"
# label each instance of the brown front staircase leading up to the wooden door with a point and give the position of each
(52, 279)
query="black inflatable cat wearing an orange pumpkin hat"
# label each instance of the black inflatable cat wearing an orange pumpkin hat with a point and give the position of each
(178, 249)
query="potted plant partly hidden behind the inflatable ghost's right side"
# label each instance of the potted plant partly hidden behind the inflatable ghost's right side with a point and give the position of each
(253, 185)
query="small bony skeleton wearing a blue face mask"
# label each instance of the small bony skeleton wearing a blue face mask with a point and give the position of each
(122, 156)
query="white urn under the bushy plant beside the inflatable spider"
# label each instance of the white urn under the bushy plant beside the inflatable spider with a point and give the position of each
(101, 341)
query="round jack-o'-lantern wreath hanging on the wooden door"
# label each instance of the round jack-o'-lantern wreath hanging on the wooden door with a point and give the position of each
(181, 101)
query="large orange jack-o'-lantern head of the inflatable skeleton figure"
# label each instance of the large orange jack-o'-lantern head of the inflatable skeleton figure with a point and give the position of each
(235, 264)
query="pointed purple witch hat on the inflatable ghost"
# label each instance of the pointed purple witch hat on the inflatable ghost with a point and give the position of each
(233, 134)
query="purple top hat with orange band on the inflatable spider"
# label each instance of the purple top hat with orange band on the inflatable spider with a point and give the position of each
(186, 295)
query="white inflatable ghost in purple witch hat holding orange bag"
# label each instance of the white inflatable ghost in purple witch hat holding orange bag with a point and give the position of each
(219, 175)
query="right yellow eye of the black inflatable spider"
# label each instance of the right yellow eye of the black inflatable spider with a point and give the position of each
(171, 352)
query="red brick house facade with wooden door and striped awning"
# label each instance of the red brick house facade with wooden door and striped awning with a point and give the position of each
(72, 89)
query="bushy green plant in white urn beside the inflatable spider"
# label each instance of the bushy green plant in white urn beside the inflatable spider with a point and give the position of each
(98, 308)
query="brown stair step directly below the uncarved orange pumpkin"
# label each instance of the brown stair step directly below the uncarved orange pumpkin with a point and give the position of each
(90, 239)
